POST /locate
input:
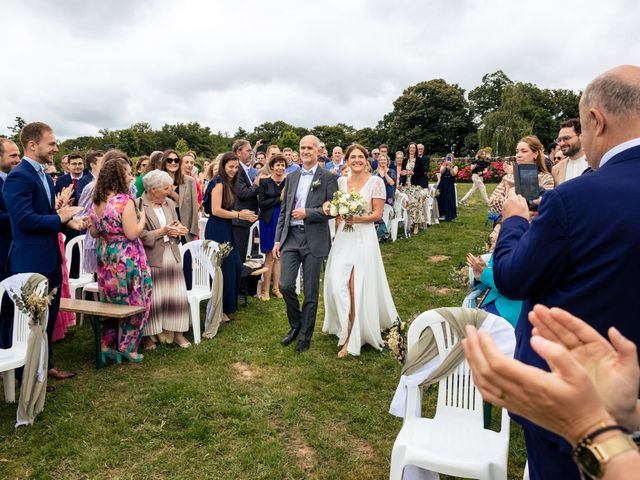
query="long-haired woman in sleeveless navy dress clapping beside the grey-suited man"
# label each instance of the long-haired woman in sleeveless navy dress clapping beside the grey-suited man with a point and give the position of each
(218, 203)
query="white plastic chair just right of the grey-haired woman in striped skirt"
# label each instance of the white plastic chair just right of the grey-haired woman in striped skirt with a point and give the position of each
(201, 283)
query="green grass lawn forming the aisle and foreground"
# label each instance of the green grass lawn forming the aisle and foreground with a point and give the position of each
(241, 405)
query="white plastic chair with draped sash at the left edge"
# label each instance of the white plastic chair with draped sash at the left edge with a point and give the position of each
(15, 356)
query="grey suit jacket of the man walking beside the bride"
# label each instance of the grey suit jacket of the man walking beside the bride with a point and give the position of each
(316, 228)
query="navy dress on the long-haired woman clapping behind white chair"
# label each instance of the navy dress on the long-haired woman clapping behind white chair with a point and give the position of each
(219, 230)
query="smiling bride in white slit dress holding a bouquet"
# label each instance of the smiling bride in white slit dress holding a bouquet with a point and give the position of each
(357, 299)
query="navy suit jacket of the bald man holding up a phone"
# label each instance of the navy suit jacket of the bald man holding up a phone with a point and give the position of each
(580, 253)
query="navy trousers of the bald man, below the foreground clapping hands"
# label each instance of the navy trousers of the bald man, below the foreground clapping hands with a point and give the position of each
(548, 460)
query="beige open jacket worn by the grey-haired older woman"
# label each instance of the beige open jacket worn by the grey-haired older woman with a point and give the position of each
(154, 247)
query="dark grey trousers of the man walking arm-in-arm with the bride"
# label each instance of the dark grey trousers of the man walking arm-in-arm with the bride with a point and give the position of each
(294, 252)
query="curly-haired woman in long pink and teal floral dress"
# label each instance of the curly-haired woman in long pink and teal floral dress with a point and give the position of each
(123, 275)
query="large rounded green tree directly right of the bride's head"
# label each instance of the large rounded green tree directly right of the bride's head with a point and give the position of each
(435, 113)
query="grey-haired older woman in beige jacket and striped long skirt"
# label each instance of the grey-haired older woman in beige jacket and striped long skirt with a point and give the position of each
(169, 315)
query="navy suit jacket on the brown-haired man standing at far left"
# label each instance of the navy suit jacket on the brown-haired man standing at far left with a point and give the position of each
(34, 222)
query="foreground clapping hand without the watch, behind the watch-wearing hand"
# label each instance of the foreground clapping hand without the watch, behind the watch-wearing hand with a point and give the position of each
(612, 367)
